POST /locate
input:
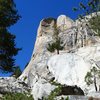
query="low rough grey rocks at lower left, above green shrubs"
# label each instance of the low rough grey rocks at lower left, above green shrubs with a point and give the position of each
(10, 84)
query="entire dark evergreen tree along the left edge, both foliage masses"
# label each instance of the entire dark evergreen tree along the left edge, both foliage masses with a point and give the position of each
(8, 17)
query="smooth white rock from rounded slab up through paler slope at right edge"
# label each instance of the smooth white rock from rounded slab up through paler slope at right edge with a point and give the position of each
(71, 68)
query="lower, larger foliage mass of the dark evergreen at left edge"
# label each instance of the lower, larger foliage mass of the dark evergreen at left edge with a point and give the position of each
(7, 50)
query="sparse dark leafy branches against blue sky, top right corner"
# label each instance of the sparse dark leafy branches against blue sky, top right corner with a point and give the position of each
(88, 7)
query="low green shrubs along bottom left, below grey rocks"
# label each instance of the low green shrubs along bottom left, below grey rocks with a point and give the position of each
(17, 96)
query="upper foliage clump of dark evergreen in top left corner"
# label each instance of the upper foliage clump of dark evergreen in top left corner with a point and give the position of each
(8, 13)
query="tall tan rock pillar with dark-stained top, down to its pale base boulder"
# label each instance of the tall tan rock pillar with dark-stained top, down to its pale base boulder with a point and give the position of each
(37, 68)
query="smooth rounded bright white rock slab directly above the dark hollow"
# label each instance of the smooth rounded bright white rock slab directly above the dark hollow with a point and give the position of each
(70, 69)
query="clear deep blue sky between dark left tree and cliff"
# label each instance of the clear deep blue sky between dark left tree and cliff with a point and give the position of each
(32, 12)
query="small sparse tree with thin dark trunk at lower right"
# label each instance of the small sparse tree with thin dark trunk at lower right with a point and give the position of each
(92, 76)
